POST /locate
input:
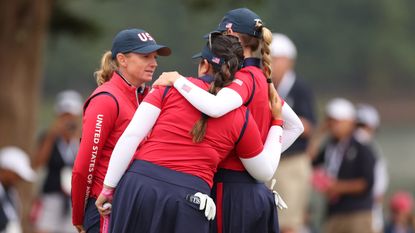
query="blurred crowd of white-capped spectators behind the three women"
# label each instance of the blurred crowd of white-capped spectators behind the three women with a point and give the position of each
(337, 156)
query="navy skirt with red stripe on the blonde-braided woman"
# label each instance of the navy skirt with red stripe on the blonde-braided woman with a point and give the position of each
(243, 204)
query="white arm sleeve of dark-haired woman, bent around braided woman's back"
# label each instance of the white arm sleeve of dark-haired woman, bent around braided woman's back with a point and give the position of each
(263, 166)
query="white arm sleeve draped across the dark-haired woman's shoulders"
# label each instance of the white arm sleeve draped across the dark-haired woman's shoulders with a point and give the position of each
(214, 106)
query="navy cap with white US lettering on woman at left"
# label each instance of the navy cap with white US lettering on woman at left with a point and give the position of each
(137, 41)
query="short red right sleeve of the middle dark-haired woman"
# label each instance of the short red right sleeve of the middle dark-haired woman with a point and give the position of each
(250, 143)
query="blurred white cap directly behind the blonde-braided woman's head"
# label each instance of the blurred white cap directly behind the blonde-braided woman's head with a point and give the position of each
(282, 46)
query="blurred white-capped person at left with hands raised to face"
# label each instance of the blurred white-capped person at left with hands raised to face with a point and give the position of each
(56, 154)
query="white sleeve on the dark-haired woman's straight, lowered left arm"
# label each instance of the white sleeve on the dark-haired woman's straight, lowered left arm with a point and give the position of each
(141, 124)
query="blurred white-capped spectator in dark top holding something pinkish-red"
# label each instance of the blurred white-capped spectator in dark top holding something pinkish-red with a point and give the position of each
(348, 174)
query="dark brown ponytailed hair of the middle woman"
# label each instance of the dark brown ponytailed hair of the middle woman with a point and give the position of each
(229, 49)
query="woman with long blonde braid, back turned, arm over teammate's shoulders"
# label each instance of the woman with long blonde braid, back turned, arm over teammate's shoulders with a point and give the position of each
(235, 191)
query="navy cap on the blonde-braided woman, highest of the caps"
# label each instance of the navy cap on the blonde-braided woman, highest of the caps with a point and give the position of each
(241, 20)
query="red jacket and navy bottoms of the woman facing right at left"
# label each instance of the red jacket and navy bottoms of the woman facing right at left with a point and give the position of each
(107, 113)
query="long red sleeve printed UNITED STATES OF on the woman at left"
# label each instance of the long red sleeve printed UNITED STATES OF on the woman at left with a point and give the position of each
(102, 111)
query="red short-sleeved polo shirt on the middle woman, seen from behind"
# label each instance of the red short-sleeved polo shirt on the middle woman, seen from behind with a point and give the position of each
(170, 143)
